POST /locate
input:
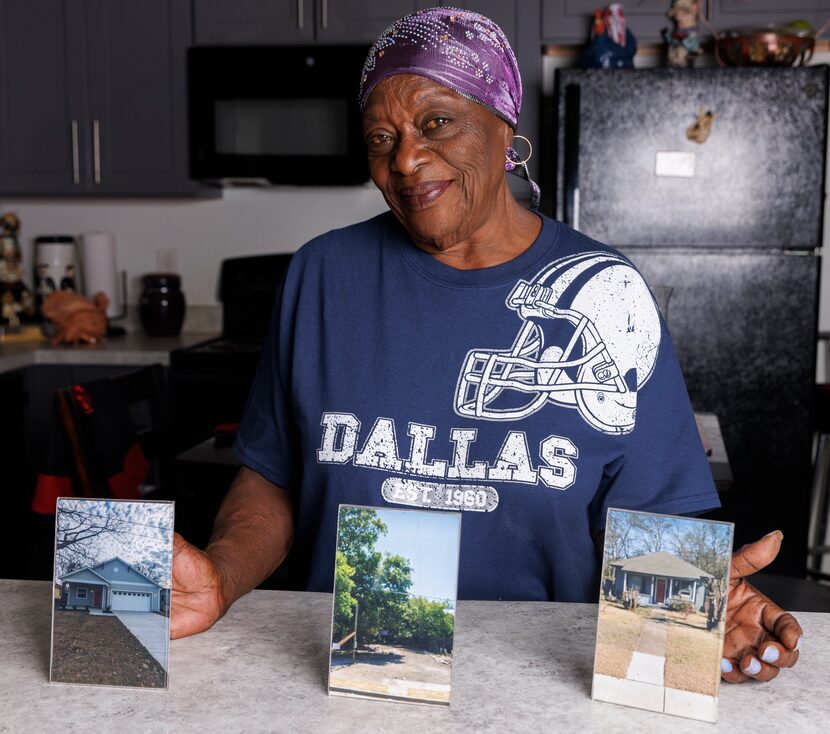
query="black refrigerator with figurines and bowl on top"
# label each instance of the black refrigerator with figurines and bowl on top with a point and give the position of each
(727, 232)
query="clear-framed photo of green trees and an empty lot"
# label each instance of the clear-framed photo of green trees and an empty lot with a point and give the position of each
(395, 585)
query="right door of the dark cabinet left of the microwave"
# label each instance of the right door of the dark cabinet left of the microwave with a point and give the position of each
(137, 96)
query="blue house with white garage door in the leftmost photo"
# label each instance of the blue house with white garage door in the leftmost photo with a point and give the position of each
(111, 586)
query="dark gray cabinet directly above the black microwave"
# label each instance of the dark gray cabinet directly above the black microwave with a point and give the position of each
(228, 22)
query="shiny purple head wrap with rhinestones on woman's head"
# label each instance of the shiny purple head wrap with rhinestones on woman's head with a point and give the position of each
(458, 49)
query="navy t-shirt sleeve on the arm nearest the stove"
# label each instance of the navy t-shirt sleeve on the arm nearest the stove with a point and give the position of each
(267, 438)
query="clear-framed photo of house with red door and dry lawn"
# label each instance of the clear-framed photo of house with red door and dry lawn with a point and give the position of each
(662, 613)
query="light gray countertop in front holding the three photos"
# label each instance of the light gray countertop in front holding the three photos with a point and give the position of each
(519, 666)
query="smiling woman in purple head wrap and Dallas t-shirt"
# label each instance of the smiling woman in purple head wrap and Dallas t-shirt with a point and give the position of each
(391, 378)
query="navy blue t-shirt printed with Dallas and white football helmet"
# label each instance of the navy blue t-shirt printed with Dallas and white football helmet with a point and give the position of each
(530, 396)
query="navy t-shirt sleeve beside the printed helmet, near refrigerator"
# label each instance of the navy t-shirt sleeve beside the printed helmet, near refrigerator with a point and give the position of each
(663, 467)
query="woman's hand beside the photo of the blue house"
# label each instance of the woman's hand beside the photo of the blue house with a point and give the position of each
(198, 599)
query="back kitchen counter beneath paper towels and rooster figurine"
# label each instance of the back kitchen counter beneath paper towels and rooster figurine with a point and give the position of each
(132, 349)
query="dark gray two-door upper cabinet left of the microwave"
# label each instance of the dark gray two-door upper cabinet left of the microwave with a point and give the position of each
(93, 97)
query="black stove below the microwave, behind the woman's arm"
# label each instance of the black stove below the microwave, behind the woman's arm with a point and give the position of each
(210, 381)
